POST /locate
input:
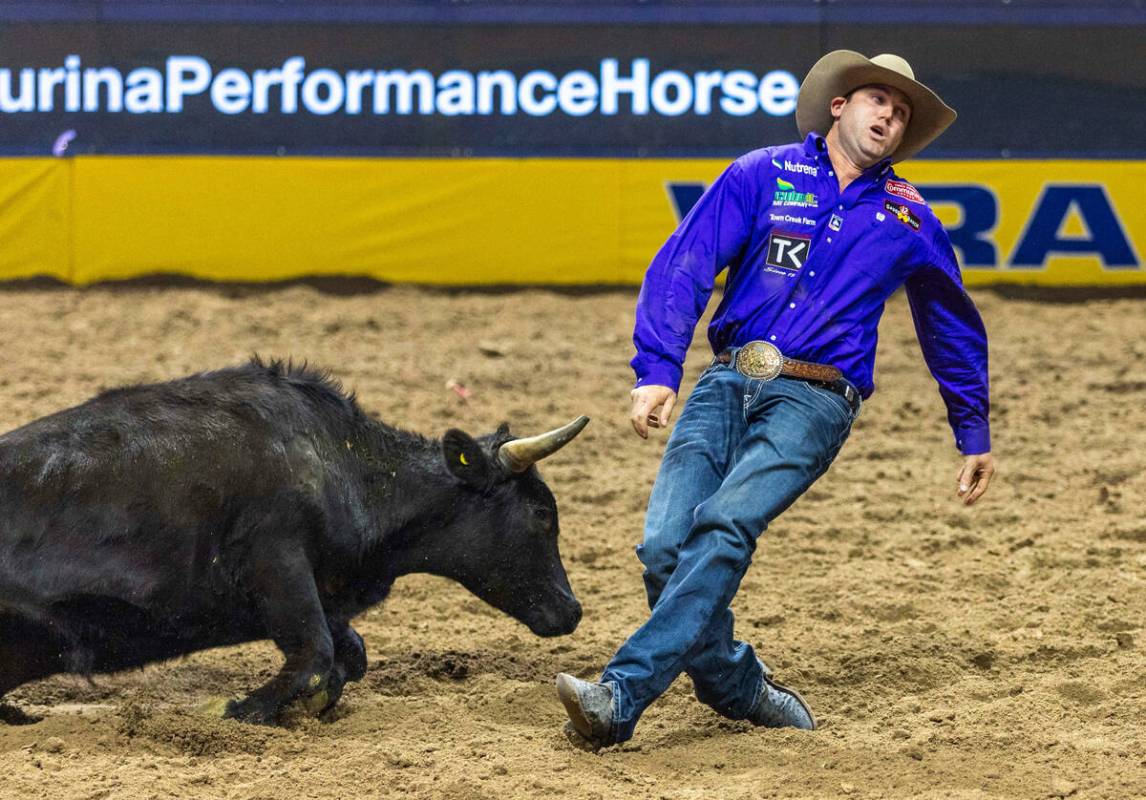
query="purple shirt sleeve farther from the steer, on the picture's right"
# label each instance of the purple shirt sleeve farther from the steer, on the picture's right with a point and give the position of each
(954, 343)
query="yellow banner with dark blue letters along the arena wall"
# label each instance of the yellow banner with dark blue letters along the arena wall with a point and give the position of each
(505, 222)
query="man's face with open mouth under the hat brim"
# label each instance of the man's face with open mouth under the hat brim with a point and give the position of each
(872, 123)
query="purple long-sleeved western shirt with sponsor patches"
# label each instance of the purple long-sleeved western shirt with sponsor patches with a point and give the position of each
(810, 270)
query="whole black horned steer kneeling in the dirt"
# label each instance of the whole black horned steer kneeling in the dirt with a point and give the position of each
(248, 504)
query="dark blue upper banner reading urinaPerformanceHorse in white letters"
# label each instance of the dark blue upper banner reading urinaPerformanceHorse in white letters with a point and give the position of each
(614, 80)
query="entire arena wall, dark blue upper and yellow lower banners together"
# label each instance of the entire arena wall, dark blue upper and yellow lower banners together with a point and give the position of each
(560, 144)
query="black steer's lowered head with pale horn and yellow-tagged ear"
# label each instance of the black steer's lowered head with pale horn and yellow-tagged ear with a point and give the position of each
(505, 537)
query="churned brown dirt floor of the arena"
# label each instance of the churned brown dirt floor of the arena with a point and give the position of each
(992, 653)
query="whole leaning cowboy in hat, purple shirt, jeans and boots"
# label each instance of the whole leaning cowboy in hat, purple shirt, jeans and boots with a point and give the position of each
(817, 237)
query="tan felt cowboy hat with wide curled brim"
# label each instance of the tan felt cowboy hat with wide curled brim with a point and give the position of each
(842, 72)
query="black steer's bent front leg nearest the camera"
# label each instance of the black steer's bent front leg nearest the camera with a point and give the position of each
(285, 589)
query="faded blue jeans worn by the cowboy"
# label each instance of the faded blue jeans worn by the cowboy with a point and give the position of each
(742, 452)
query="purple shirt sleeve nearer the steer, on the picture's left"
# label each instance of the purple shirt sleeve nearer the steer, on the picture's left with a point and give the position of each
(680, 280)
